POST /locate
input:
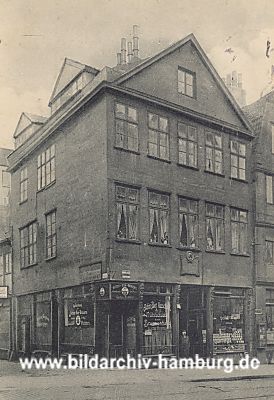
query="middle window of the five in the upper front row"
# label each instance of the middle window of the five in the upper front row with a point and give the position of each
(187, 145)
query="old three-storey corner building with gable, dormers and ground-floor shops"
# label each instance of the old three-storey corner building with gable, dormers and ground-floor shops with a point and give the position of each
(132, 212)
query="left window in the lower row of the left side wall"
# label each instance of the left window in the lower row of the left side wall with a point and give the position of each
(28, 245)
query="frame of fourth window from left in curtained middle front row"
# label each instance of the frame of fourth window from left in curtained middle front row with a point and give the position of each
(215, 219)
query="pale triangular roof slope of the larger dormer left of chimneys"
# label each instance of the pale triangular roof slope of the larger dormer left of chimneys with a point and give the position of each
(69, 70)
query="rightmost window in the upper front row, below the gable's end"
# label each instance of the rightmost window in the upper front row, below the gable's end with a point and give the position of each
(237, 159)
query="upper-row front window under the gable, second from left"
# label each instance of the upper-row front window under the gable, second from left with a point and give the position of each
(158, 141)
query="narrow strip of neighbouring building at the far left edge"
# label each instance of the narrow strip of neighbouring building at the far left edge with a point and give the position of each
(5, 255)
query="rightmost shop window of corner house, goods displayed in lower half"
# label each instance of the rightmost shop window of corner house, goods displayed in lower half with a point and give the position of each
(228, 322)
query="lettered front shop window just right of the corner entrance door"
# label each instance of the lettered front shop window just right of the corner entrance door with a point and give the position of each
(157, 324)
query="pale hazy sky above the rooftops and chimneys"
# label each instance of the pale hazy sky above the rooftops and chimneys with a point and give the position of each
(36, 36)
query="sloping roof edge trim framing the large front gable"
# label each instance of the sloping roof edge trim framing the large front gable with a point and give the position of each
(190, 38)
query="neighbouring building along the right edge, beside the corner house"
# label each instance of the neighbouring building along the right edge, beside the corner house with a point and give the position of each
(261, 115)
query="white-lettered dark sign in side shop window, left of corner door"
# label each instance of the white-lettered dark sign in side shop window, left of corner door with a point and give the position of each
(79, 313)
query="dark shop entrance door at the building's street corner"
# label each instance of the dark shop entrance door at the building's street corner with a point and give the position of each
(122, 329)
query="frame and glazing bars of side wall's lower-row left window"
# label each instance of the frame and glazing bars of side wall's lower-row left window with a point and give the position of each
(29, 246)
